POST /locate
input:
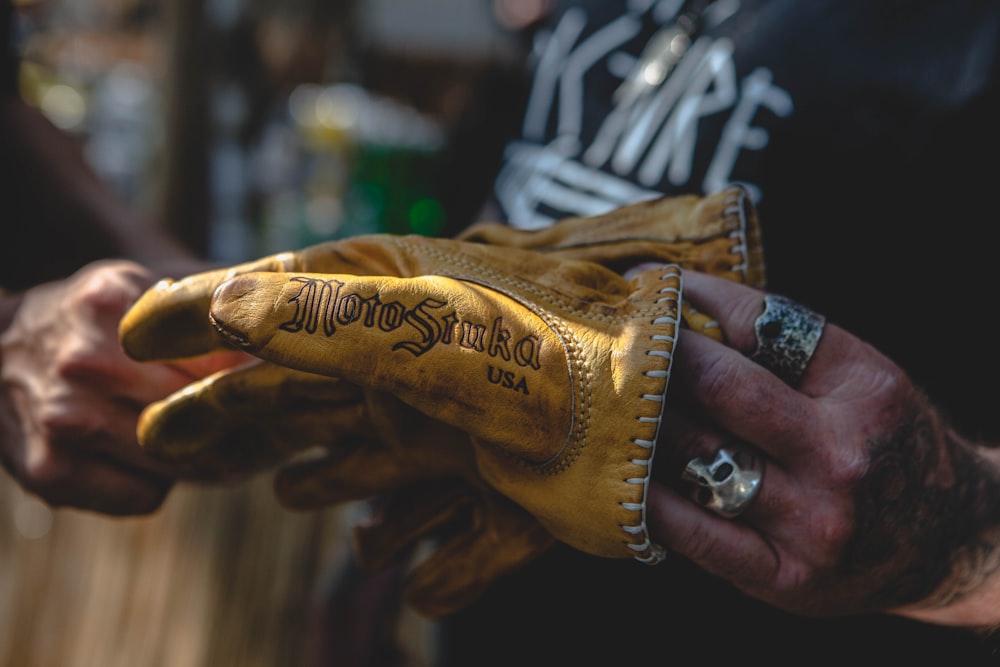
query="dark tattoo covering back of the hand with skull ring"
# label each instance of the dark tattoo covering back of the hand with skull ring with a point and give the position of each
(928, 502)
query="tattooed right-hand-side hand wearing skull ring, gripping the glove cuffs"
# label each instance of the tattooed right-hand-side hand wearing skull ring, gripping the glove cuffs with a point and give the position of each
(869, 501)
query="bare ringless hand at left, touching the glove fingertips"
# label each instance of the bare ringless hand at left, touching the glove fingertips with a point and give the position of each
(70, 398)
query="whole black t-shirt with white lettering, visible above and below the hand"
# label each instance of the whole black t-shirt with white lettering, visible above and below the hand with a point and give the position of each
(867, 132)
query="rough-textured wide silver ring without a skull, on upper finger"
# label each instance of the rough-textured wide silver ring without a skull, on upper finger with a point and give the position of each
(787, 335)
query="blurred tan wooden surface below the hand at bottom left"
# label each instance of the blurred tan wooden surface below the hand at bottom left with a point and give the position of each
(216, 577)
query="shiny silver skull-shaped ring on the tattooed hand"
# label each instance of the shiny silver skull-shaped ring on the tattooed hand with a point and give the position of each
(727, 484)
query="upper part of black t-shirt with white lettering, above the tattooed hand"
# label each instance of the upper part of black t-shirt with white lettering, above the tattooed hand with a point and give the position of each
(867, 132)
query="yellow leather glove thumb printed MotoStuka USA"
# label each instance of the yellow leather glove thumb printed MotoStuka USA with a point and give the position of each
(453, 349)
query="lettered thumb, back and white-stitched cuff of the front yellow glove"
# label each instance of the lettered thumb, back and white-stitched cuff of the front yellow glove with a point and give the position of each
(555, 368)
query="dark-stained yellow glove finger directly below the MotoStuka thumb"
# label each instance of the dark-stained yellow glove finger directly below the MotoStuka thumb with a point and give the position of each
(250, 417)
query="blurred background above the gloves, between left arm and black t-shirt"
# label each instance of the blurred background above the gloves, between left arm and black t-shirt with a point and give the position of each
(251, 125)
